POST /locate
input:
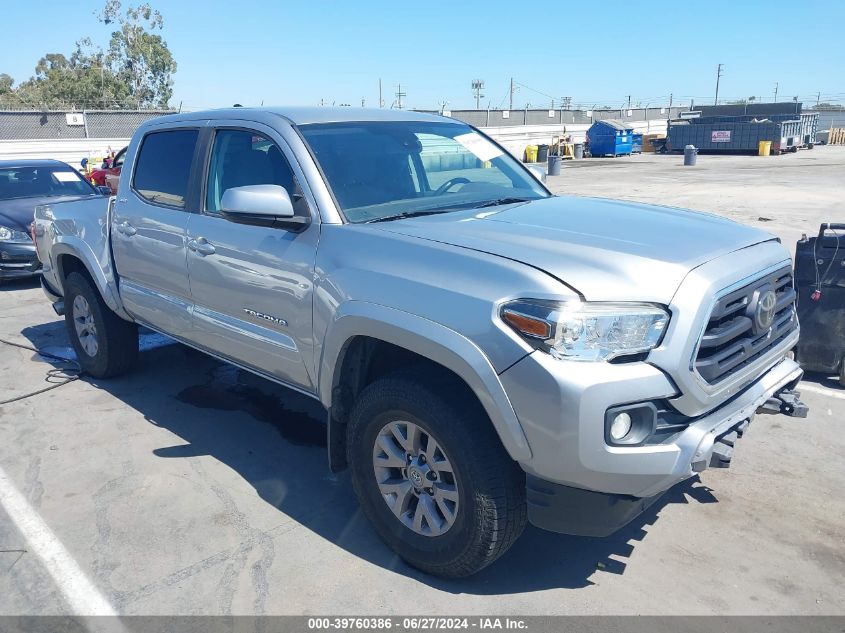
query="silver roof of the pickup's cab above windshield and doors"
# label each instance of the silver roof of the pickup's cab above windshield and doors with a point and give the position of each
(303, 115)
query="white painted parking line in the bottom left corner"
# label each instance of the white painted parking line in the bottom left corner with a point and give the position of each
(81, 595)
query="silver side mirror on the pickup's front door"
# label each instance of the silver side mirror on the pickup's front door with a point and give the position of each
(261, 205)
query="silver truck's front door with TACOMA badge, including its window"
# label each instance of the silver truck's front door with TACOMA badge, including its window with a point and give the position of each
(251, 285)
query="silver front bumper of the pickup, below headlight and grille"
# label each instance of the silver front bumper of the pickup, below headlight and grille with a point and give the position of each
(574, 472)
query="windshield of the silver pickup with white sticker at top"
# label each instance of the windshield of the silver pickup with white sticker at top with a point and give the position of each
(377, 170)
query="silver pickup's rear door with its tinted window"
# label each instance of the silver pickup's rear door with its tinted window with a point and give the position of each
(149, 225)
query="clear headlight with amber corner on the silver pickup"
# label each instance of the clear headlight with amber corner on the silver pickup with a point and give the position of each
(588, 331)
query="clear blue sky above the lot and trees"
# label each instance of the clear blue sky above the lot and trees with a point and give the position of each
(300, 52)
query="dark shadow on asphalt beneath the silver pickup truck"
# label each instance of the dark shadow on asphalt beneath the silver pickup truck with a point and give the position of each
(274, 438)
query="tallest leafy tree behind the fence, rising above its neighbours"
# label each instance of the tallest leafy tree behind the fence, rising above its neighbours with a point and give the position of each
(137, 56)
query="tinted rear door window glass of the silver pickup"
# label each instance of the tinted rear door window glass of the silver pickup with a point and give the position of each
(163, 166)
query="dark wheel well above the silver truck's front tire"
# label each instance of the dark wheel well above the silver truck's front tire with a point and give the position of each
(363, 361)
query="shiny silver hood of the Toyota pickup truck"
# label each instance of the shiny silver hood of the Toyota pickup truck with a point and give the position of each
(604, 249)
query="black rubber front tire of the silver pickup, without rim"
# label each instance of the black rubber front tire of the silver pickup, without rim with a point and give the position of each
(491, 487)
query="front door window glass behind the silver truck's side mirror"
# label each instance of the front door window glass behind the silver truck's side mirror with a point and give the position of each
(240, 158)
